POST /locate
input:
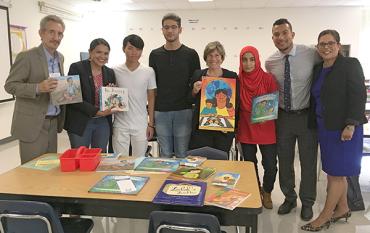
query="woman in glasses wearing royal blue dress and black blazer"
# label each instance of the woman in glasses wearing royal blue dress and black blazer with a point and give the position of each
(337, 109)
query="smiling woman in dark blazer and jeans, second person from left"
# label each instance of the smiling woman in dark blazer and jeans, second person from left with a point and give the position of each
(85, 123)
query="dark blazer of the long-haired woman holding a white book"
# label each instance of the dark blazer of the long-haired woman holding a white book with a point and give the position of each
(77, 115)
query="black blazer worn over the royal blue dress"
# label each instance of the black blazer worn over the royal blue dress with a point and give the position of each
(343, 95)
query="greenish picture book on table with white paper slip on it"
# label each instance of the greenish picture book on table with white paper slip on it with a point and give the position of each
(120, 184)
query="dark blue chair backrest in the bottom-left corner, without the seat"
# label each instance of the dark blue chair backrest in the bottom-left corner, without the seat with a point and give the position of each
(28, 216)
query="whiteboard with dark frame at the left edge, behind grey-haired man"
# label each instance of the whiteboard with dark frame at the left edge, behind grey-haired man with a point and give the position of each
(5, 53)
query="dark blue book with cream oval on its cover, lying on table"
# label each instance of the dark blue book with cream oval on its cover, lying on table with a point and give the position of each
(179, 192)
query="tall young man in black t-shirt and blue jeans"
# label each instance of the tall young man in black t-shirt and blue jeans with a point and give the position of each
(173, 64)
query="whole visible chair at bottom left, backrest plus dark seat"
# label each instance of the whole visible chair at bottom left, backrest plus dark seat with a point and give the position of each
(40, 217)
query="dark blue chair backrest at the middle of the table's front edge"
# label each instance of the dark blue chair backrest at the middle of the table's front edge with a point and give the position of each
(176, 222)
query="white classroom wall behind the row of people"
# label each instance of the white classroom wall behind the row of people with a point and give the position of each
(234, 28)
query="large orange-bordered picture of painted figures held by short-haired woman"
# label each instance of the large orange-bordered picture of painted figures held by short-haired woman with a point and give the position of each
(217, 104)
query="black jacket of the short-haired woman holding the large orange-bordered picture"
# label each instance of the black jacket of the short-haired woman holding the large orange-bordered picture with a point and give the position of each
(197, 76)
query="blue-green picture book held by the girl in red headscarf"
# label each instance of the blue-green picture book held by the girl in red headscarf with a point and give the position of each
(265, 107)
